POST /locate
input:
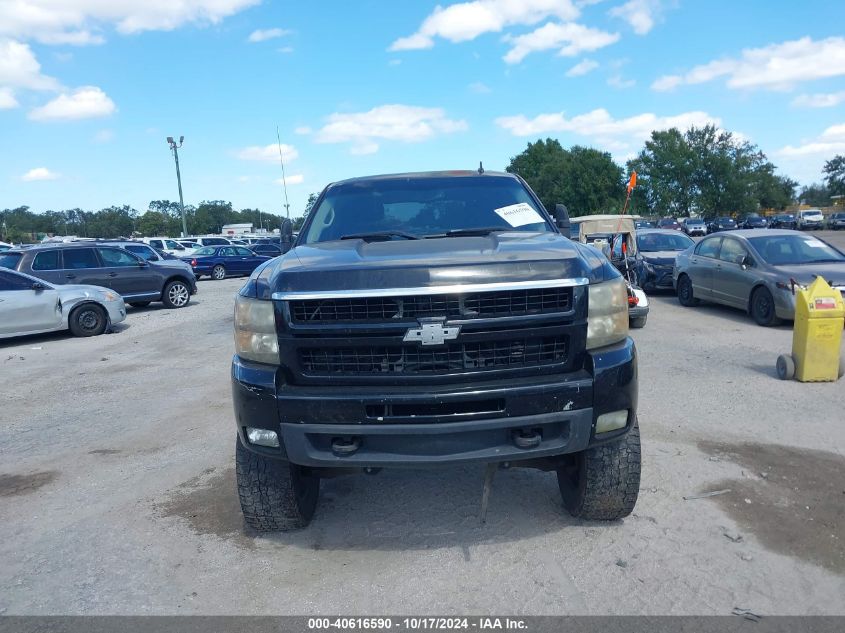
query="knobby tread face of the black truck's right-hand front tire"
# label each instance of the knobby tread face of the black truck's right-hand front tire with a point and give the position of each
(611, 479)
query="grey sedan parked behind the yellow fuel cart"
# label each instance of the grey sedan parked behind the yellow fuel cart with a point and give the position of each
(754, 270)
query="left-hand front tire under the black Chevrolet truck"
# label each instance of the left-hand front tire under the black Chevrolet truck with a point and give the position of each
(275, 495)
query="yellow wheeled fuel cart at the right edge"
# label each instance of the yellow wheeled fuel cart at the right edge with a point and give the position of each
(816, 337)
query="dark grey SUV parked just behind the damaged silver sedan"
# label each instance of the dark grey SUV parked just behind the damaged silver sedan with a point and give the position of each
(99, 264)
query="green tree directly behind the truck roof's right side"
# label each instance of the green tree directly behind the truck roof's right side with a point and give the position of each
(586, 180)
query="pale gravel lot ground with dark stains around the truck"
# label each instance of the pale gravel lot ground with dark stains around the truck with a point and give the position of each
(117, 491)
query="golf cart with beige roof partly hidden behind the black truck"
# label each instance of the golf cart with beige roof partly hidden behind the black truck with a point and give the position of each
(615, 236)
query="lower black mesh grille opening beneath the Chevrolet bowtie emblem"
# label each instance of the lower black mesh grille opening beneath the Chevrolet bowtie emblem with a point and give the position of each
(454, 357)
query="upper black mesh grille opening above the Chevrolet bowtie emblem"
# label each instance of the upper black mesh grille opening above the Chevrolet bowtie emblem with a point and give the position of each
(466, 306)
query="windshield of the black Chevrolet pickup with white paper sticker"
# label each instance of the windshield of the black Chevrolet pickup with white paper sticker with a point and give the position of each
(413, 208)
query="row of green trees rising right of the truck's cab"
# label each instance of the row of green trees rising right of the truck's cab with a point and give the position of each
(703, 171)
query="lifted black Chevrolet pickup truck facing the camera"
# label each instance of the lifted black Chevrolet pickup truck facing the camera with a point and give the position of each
(431, 319)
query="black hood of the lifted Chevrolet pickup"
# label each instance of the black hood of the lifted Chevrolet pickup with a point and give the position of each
(501, 257)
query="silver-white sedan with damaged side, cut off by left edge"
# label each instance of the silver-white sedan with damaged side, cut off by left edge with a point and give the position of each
(29, 305)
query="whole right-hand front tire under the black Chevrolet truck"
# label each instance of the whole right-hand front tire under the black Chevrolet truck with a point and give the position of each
(603, 482)
